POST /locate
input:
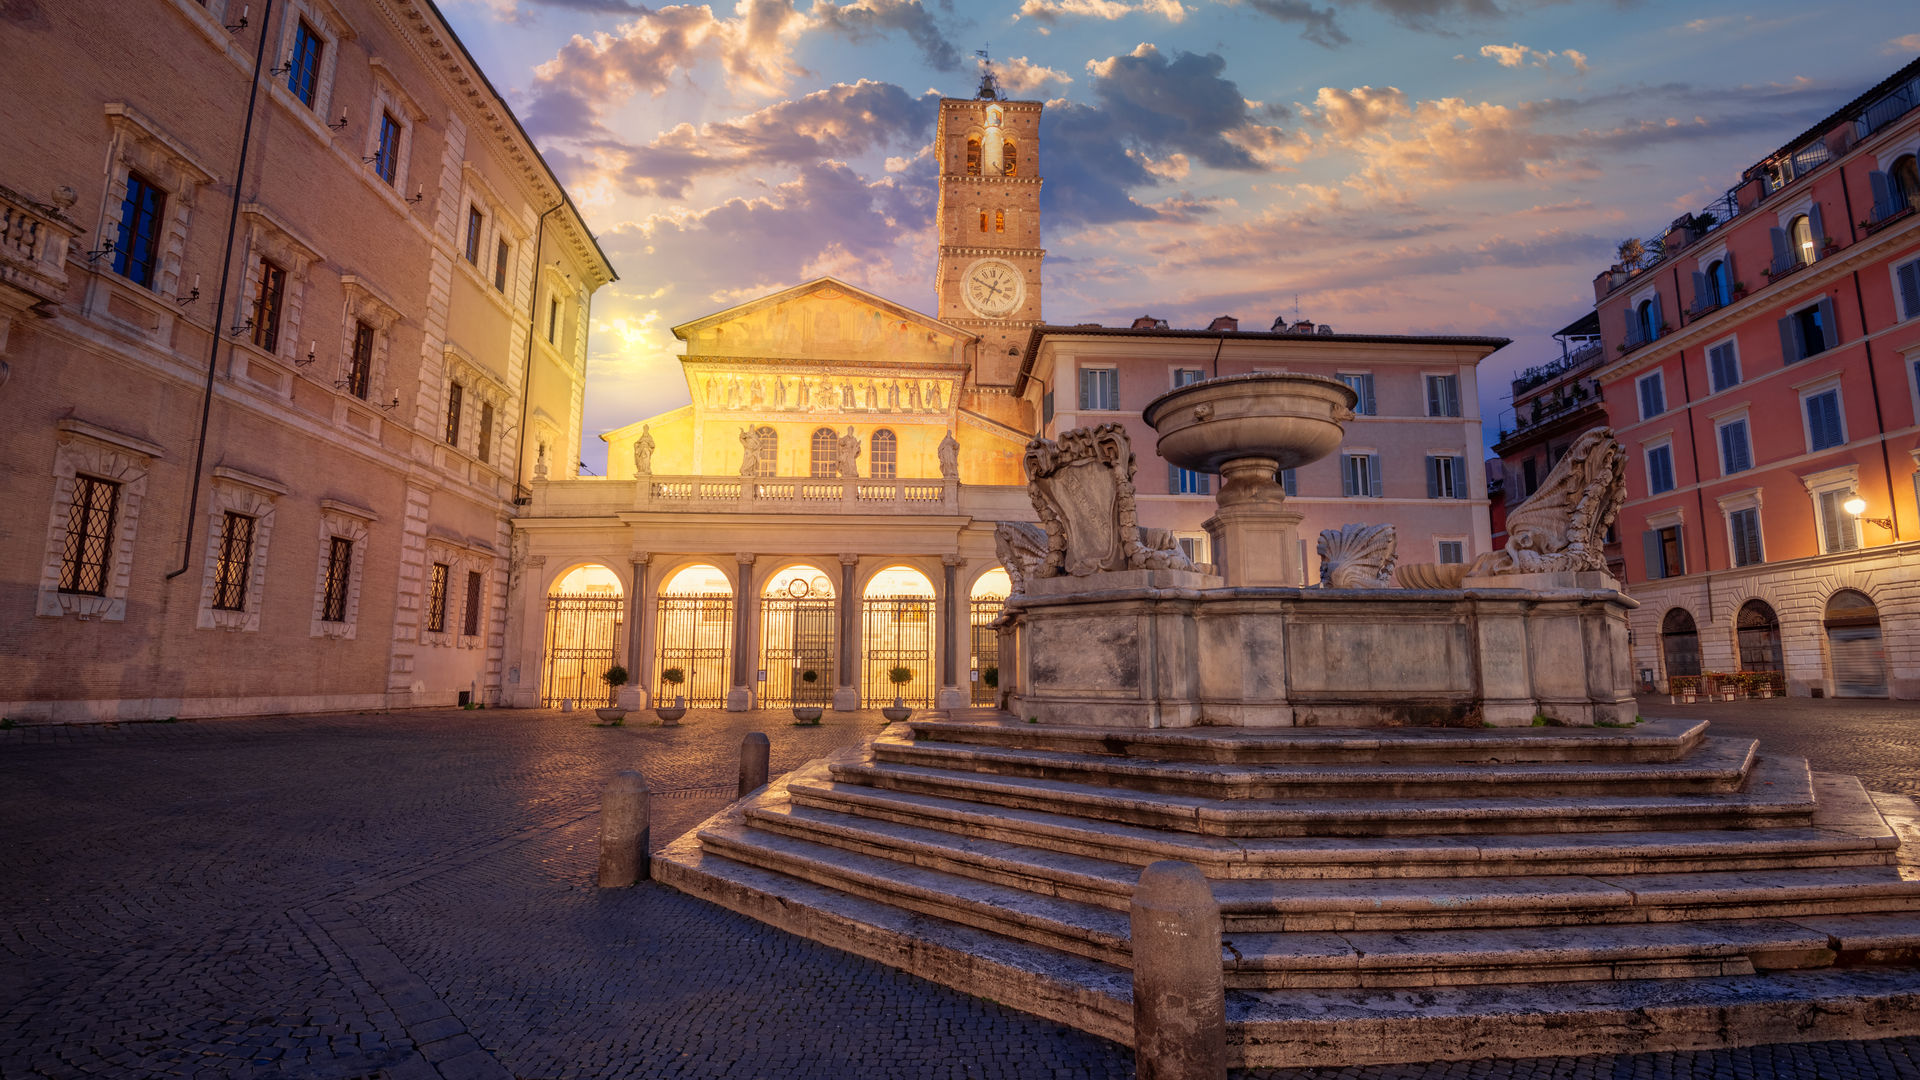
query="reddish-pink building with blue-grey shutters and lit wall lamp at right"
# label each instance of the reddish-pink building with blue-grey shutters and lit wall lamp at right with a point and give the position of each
(1764, 372)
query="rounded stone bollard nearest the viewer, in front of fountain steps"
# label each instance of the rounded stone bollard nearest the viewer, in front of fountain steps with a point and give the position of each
(1180, 994)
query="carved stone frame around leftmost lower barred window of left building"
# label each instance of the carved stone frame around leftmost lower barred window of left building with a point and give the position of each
(101, 453)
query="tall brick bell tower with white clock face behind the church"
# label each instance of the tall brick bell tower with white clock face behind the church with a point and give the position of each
(990, 228)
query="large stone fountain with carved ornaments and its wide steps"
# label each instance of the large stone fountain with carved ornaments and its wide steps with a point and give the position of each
(1429, 816)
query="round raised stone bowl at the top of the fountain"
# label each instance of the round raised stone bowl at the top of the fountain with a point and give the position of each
(1285, 418)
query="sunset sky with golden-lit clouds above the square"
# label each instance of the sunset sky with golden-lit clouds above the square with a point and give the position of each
(1399, 166)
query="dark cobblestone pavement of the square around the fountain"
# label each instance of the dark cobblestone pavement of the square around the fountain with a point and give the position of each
(410, 896)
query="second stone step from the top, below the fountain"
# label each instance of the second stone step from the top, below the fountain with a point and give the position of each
(1714, 766)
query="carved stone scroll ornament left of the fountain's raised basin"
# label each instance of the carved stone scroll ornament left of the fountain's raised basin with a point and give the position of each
(1082, 487)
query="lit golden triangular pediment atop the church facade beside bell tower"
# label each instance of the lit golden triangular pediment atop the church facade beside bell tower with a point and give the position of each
(825, 320)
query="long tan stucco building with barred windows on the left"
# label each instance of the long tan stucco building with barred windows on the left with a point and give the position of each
(291, 314)
